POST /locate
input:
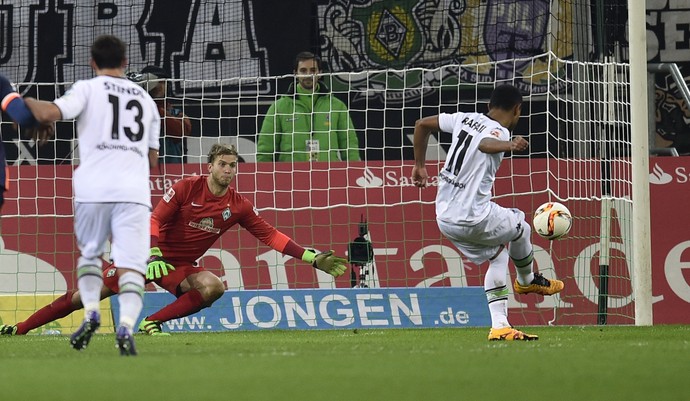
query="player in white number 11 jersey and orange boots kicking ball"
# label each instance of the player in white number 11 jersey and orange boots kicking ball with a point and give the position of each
(465, 214)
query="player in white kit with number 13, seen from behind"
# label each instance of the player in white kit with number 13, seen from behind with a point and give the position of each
(118, 125)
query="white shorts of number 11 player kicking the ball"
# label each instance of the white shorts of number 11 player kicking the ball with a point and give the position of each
(482, 241)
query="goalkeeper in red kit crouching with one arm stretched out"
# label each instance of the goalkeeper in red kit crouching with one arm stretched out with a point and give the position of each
(189, 219)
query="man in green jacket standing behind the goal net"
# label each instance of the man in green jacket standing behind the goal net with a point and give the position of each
(308, 123)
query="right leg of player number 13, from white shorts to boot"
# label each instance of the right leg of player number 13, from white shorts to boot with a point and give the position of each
(130, 250)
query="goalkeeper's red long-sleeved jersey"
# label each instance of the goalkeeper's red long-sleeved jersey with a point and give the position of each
(189, 219)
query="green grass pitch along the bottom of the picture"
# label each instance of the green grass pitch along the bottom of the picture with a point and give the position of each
(567, 363)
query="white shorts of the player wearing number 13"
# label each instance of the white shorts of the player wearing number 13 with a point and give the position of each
(127, 224)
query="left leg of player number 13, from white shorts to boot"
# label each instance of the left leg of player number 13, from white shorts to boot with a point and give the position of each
(92, 228)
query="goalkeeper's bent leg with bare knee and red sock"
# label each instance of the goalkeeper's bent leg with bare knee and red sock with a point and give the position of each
(198, 290)
